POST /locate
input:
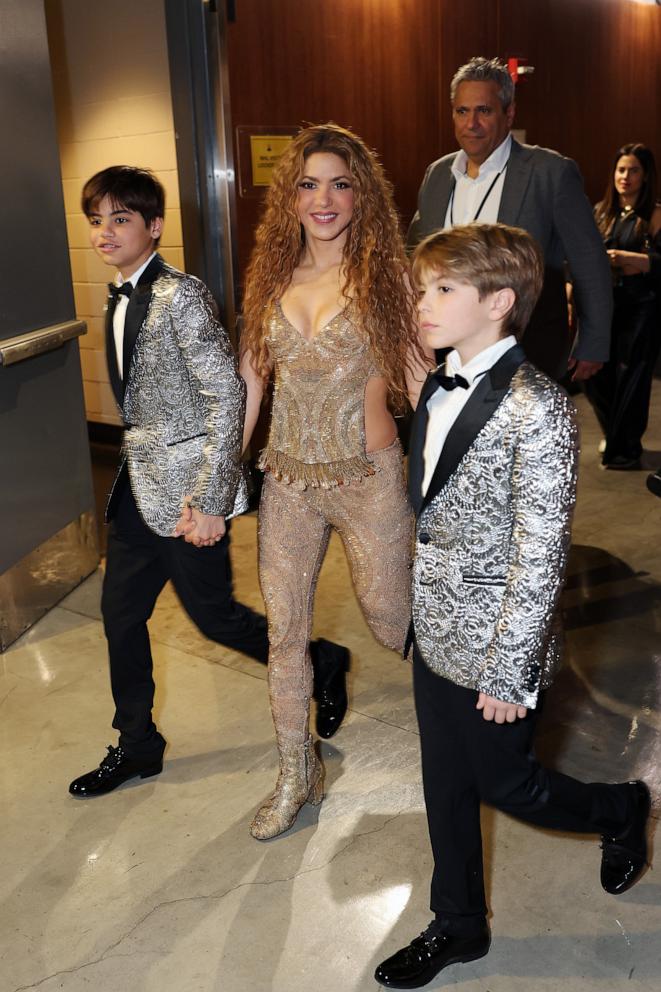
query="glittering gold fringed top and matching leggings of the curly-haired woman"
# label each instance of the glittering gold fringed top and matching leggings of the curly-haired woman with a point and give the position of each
(319, 476)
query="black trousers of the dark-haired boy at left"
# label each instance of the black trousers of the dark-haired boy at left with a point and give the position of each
(139, 564)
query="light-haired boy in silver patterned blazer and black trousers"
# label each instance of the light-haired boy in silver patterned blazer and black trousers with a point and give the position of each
(492, 475)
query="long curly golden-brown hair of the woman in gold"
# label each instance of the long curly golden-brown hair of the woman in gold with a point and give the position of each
(374, 262)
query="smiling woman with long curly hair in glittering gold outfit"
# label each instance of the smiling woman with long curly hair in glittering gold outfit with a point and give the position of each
(329, 312)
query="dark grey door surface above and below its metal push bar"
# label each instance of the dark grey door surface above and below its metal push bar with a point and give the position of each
(45, 479)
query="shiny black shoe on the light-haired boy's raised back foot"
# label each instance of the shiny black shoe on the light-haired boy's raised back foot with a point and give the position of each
(624, 858)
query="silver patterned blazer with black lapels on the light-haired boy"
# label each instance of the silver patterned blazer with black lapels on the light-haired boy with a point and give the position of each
(493, 533)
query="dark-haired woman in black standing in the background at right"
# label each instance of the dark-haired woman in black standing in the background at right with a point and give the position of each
(629, 218)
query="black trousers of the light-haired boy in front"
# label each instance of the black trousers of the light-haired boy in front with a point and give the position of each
(467, 760)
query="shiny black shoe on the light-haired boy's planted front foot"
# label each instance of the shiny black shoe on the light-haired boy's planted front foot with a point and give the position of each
(424, 957)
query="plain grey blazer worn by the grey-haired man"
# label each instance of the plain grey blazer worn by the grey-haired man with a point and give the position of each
(542, 193)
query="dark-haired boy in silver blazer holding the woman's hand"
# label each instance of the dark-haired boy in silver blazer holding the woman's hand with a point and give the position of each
(175, 379)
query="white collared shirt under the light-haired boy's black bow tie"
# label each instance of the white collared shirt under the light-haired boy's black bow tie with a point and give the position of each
(445, 406)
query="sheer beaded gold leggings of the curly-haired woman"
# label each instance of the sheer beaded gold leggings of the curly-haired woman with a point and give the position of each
(374, 520)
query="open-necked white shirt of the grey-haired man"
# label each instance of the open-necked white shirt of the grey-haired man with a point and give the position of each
(468, 193)
